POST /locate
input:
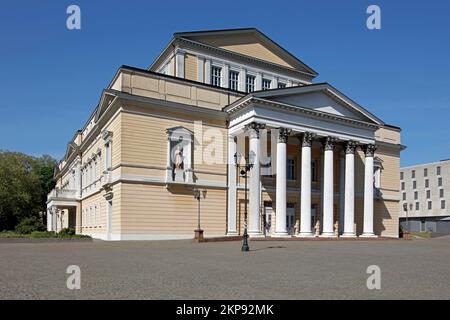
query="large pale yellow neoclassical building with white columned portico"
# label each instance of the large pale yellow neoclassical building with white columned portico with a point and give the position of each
(322, 165)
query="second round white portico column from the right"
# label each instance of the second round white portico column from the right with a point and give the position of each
(349, 206)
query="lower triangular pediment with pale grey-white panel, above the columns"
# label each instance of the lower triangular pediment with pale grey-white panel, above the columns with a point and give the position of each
(321, 98)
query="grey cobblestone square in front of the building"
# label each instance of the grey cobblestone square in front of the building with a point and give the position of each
(186, 270)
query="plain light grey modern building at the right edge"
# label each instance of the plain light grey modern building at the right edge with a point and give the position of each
(425, 192)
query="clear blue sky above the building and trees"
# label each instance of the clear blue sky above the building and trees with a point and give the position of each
(51, 78)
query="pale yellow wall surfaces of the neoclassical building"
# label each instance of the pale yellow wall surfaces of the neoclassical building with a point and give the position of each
(129, 197)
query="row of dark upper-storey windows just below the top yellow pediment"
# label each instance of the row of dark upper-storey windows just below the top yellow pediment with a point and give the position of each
(233, 80)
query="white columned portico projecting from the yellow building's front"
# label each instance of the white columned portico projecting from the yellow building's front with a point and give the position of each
(290, 125)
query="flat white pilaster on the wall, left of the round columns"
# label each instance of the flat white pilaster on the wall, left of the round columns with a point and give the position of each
(232, 226)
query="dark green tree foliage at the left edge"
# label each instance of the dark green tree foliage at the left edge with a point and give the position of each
(25, 182)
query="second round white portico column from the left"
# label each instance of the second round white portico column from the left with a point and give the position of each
(280, 226)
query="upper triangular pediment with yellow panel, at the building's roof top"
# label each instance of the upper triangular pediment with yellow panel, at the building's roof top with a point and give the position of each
(249, 42)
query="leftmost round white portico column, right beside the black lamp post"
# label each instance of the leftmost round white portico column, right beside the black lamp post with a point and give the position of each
(255, 182)
